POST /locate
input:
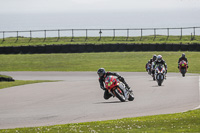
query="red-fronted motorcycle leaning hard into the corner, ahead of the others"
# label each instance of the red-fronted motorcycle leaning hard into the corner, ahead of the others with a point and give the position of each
(118, 89)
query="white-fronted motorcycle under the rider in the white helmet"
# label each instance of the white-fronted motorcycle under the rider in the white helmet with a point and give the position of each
(160, 74)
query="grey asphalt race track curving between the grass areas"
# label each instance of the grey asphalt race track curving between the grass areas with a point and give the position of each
(78, 98)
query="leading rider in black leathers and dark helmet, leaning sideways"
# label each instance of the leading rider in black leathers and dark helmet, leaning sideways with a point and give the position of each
(102, 75)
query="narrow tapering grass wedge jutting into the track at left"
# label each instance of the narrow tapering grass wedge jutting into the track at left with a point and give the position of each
(20, 82)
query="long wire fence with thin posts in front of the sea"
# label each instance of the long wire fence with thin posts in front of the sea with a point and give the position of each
(100, 33)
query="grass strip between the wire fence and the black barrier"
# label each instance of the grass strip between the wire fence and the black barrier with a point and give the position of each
(24, 41)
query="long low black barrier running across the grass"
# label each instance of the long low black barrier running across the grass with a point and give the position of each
(97, 48)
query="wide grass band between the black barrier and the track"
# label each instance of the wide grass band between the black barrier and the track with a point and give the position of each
(111, 61)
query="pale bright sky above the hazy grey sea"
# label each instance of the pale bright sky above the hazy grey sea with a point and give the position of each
(54, 6)
